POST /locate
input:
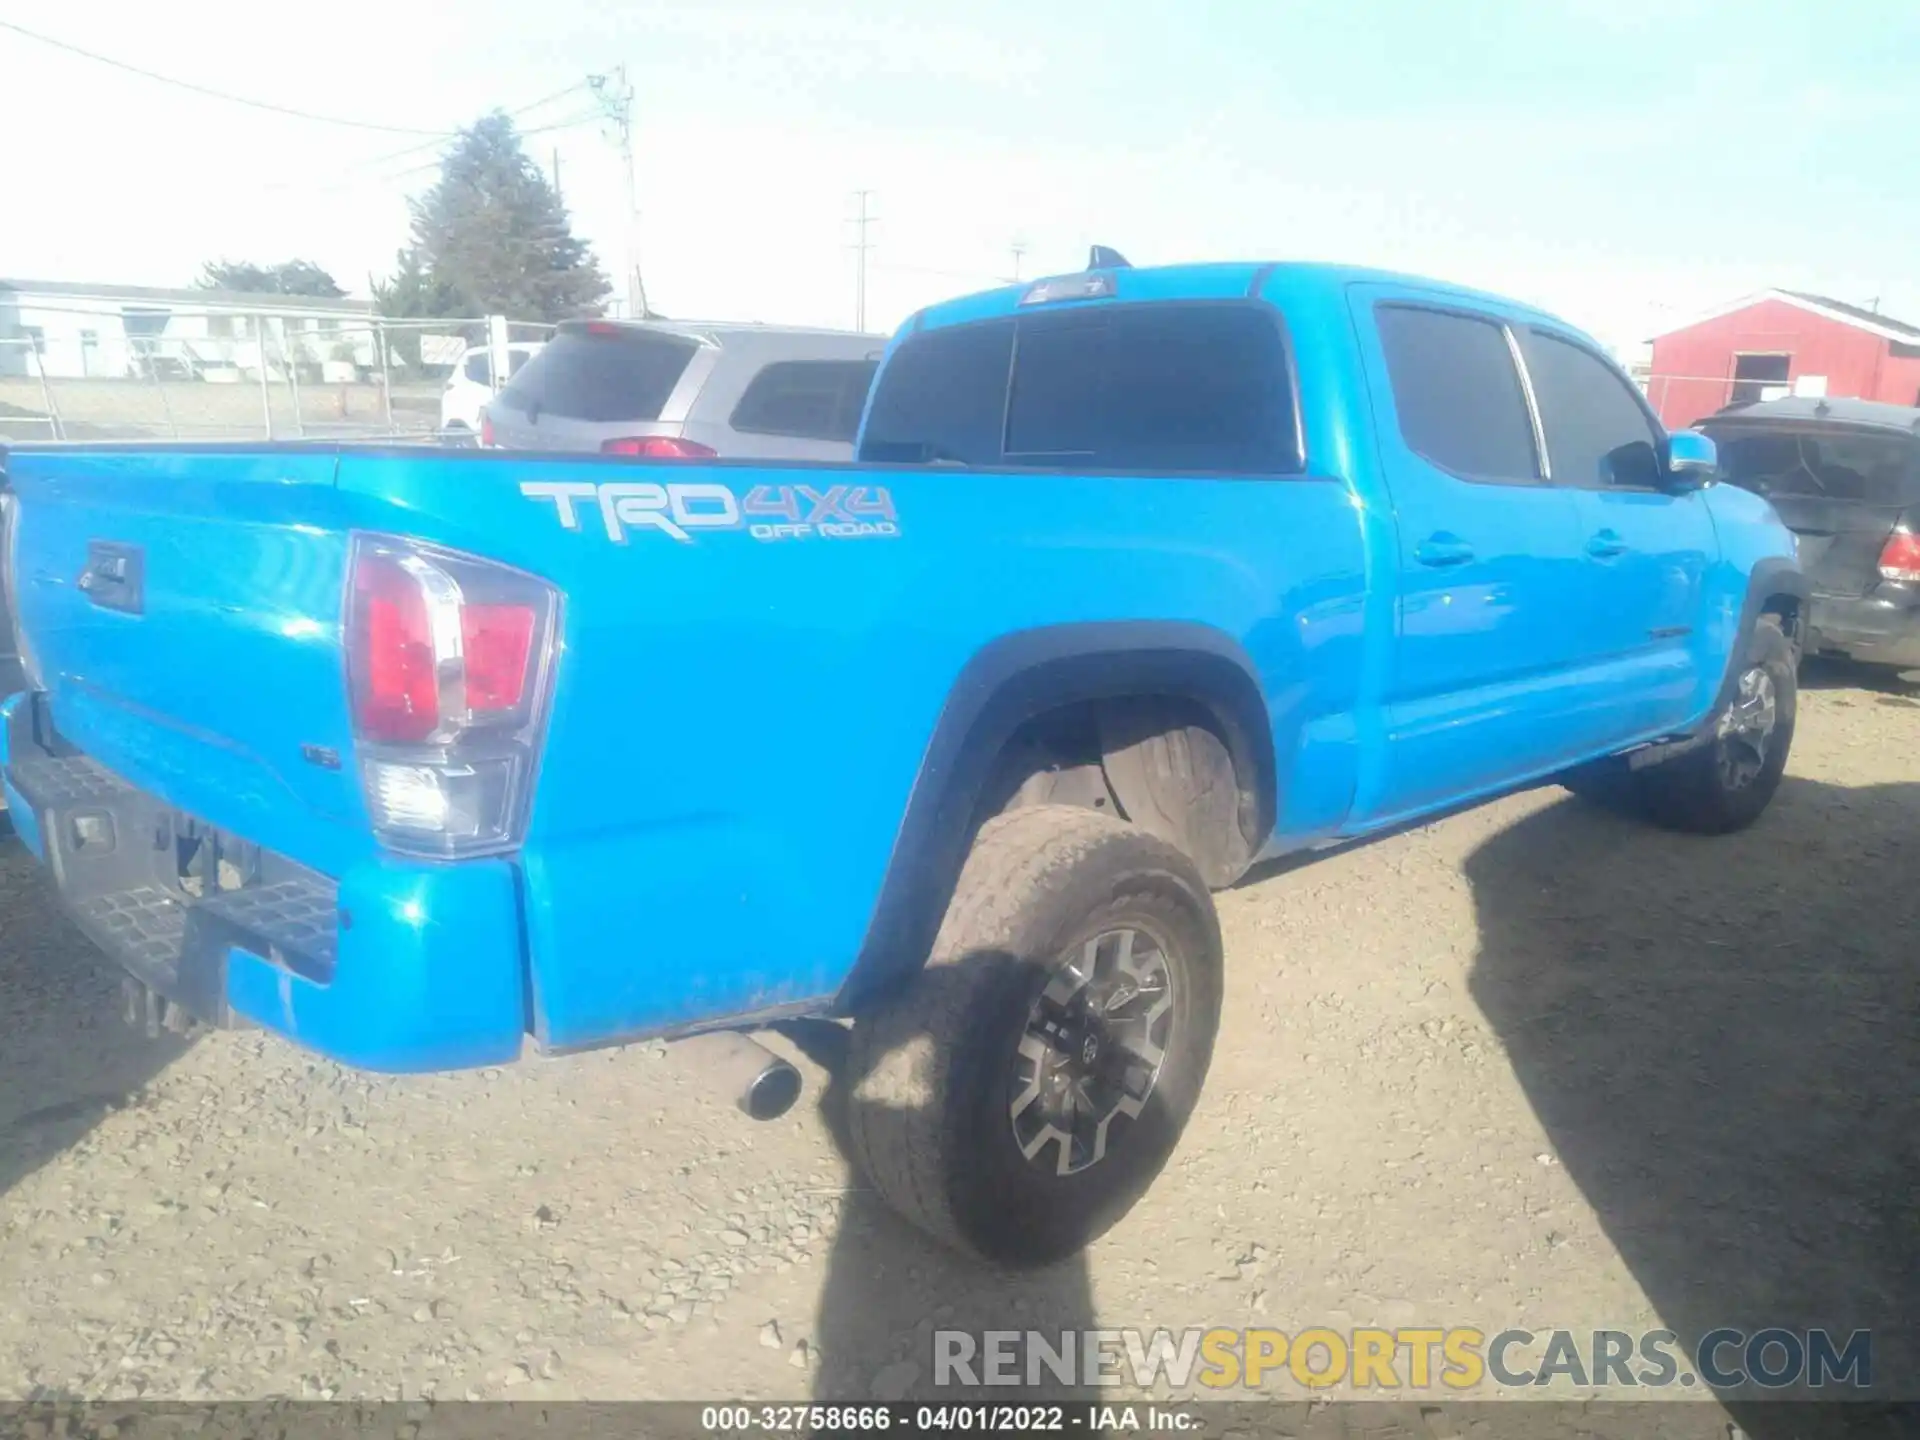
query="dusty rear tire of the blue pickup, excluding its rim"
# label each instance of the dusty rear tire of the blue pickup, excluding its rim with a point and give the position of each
(934, 1068)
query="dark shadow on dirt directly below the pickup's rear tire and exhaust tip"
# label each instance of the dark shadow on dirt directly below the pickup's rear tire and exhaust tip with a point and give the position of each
(890, 1289)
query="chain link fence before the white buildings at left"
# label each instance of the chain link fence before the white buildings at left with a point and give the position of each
(220, 375)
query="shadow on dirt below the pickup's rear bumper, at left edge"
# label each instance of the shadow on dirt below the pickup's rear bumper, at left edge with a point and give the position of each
(68, 1059)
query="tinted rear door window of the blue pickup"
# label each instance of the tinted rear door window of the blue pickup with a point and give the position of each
(1458, 395)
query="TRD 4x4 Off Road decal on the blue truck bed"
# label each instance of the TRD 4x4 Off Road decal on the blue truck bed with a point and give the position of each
(765, 512)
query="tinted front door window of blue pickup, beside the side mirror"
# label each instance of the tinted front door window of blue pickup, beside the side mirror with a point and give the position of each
(1598, 435)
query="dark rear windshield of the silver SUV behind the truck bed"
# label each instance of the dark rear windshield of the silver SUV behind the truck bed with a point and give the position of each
(602, 373)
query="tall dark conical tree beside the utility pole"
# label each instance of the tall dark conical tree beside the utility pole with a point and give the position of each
(492, 239)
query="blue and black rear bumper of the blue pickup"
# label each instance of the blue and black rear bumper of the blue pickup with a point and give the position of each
(393, 967)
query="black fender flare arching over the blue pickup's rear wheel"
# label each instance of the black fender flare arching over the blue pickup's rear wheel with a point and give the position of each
(1007, 684)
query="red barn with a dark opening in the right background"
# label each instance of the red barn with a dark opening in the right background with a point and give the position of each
(1783, 343)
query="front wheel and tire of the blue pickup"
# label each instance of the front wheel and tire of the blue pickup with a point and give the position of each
(1725, 784)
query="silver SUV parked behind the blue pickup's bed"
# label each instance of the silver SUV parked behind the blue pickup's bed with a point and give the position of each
(688, 391)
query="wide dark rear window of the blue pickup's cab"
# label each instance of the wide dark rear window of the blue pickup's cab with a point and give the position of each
(1166, 387)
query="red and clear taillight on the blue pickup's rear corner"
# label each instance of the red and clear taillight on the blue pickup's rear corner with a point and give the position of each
(450, 661)
